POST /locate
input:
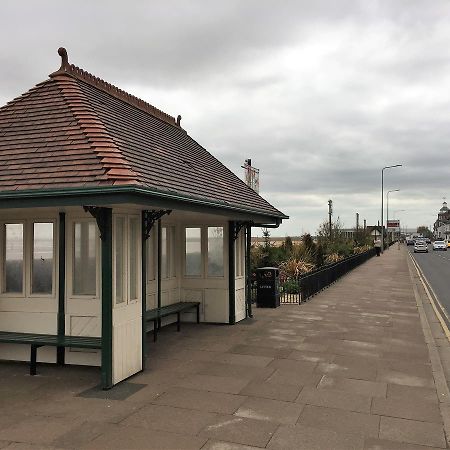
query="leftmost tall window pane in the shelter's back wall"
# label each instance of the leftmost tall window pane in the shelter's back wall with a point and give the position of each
(13, 263)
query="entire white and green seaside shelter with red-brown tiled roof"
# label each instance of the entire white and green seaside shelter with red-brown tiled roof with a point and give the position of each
(113, 221)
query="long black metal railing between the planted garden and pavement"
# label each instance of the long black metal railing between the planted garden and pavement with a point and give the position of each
(298, 290)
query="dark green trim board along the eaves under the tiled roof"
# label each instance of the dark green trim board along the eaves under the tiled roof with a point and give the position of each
(134, 195)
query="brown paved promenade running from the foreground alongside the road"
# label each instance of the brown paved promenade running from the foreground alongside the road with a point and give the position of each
(350, 369)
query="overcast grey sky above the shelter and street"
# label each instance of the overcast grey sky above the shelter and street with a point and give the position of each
(319, 94)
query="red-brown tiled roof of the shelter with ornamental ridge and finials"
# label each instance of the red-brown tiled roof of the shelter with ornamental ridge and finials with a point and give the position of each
(77, 130)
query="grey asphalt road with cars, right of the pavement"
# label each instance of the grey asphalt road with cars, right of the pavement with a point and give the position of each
(436, 268)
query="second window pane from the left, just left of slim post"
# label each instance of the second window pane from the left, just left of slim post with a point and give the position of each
(42, 270)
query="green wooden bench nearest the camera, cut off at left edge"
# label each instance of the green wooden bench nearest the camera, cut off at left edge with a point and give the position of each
(41, 340)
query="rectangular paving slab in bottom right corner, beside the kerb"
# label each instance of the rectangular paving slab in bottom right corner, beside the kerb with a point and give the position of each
(412, 431)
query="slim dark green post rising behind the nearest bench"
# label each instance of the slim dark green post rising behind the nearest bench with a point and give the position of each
(60, 351)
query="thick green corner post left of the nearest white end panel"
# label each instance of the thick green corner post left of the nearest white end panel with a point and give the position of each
(107, 270)
